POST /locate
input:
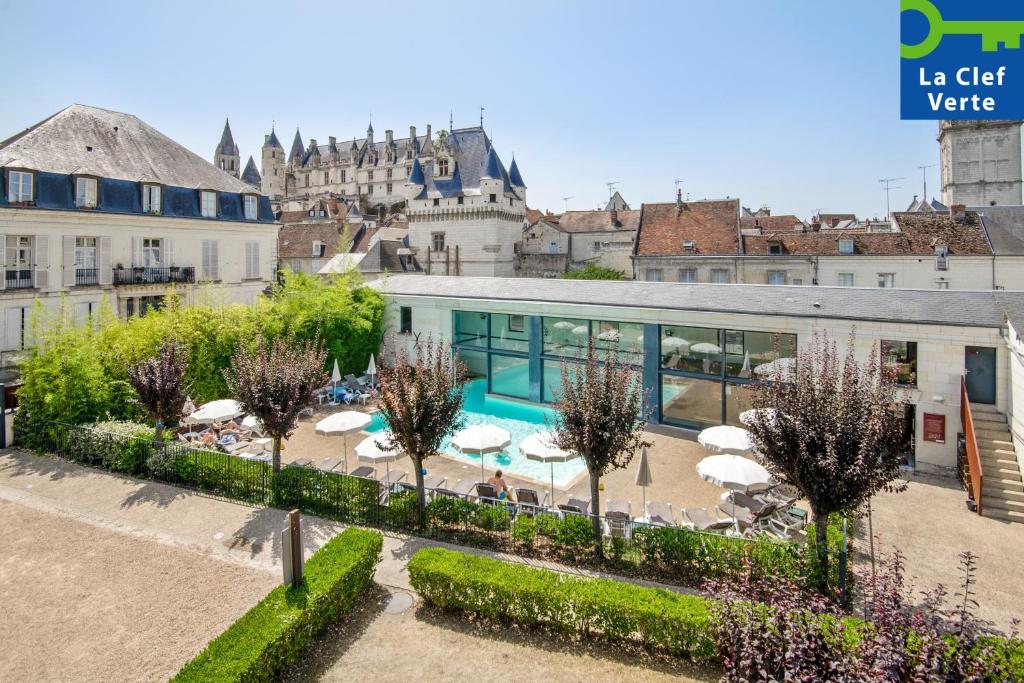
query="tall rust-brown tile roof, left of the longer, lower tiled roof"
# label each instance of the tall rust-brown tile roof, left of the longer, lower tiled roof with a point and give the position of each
(712, 225)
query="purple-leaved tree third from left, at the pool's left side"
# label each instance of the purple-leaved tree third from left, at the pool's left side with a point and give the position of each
(421, 400)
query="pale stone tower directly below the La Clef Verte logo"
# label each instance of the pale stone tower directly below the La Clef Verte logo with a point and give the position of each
(980, 162)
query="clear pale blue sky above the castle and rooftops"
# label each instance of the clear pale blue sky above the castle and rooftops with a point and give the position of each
(790, 104)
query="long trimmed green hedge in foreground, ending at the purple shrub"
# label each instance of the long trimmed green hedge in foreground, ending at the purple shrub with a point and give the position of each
(502, 591)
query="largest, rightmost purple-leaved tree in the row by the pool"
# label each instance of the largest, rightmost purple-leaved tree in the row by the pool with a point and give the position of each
(834, 431)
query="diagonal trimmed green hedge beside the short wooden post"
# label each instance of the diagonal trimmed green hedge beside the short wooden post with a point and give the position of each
(272, 635)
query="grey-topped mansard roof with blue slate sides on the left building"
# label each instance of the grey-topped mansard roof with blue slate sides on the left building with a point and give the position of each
(122, 152)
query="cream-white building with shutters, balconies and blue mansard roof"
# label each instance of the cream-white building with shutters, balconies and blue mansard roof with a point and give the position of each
(98, 204)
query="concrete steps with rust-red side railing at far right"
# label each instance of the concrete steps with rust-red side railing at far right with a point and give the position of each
(1003, 496)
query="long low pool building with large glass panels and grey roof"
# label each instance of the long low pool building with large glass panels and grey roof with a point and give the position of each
(700, 348)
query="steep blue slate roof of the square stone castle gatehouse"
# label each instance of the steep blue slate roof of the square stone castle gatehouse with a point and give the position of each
(474, 159)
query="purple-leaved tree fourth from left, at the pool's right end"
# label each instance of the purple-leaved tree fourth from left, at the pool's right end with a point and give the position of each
(602, 416)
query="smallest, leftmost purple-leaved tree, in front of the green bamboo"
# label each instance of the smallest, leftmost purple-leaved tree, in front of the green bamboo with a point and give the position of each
(159, 381)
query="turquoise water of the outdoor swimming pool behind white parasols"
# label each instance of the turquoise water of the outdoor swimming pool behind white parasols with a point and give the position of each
(521, 420)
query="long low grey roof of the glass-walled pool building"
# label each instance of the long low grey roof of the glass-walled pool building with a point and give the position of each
(953, 308)
